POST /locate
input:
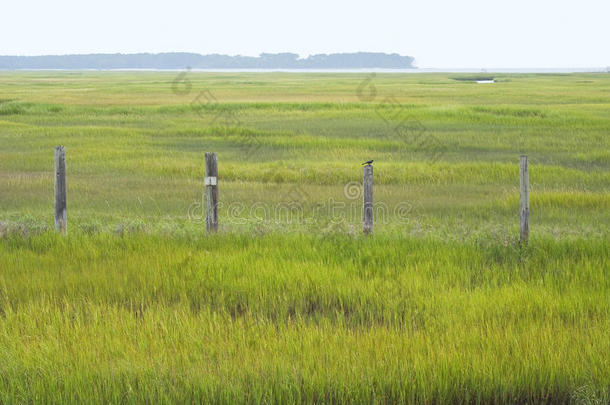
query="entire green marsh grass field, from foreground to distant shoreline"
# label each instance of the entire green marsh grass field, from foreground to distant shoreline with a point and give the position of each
(441, 305)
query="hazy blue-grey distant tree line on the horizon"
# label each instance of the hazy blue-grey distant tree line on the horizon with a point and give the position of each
(176, 60)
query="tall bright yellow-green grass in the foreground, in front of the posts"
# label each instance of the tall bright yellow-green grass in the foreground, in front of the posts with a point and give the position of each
(287, 318)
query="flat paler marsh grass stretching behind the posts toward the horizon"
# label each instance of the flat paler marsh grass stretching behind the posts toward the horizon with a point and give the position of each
(132, 139)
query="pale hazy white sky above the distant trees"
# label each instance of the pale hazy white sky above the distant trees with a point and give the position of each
(438, 33)
